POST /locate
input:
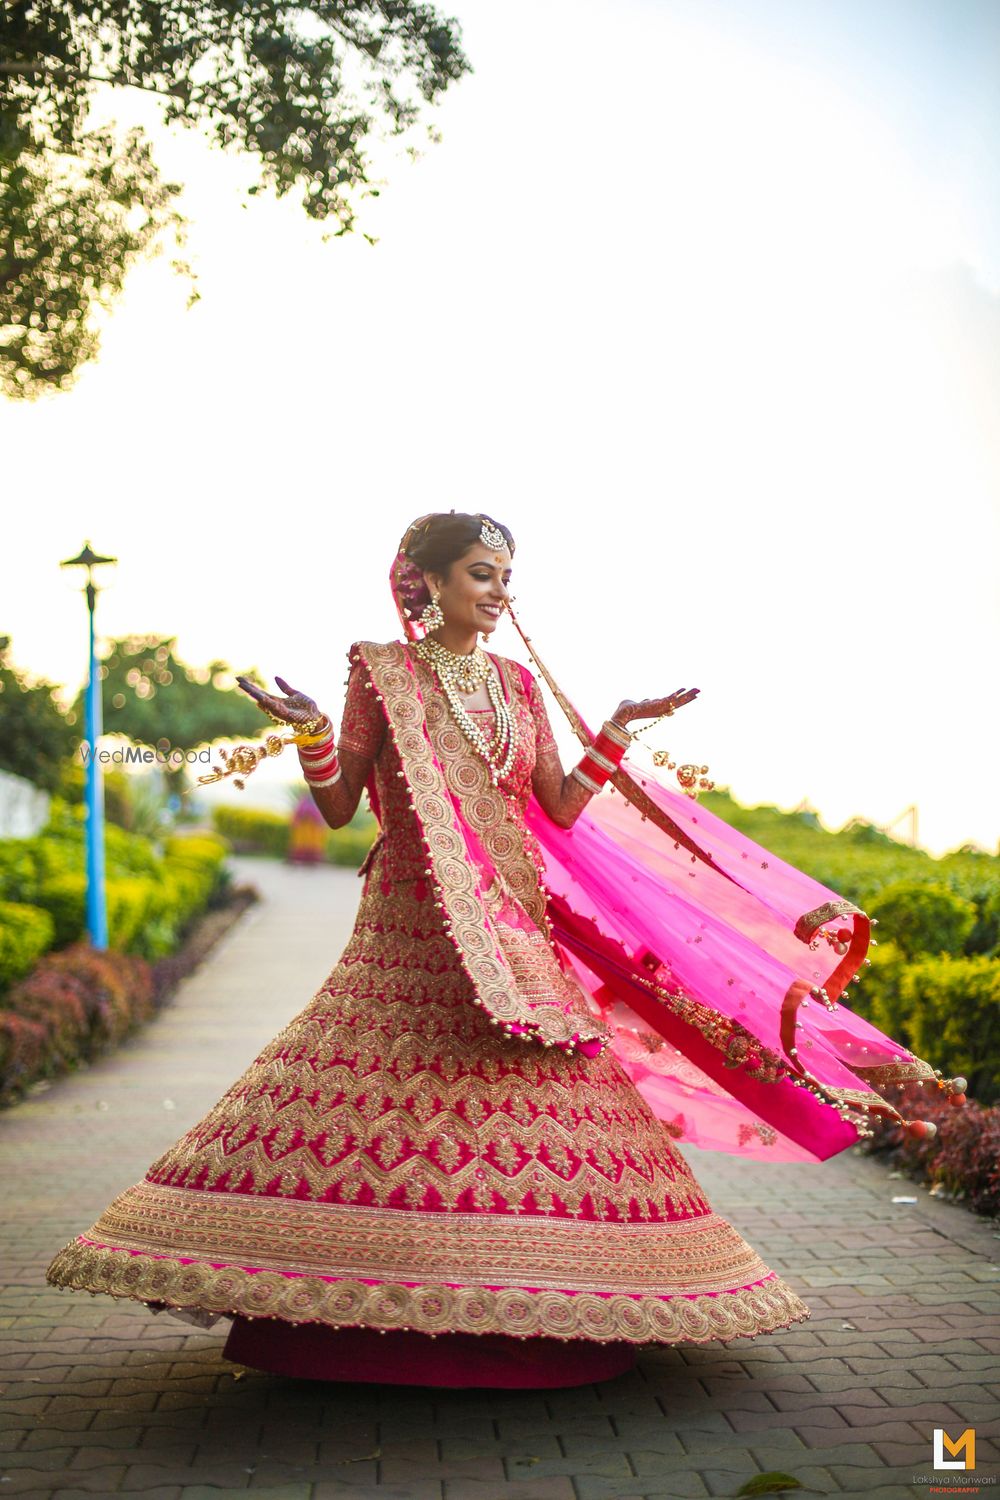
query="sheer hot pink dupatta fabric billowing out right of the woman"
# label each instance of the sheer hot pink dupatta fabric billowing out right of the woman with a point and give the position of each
(720, 968)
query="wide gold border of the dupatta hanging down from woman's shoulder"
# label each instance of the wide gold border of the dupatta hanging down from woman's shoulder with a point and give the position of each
(458, 886)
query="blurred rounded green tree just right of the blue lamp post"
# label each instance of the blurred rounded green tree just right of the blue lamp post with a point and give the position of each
(154, 698)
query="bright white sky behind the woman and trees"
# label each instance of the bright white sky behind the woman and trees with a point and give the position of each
(701, 299)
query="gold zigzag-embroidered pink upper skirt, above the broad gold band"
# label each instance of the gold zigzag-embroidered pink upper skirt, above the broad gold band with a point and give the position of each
(392, 1090)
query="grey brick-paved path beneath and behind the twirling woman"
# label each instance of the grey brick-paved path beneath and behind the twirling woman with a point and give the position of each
(107, 1399)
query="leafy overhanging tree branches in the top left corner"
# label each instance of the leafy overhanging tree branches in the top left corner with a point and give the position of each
(302, 89)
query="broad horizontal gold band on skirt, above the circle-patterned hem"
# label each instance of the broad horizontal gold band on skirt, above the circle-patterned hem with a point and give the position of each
(499, 1250)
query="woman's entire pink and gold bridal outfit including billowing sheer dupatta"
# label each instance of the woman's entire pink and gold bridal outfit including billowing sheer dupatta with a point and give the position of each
(458, 1163)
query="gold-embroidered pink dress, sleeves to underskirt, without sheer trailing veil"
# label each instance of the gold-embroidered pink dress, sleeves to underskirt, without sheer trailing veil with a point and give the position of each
(419, 1180)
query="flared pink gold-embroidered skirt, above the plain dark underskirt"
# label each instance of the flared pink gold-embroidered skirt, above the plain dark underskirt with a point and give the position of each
(394, 1162)
